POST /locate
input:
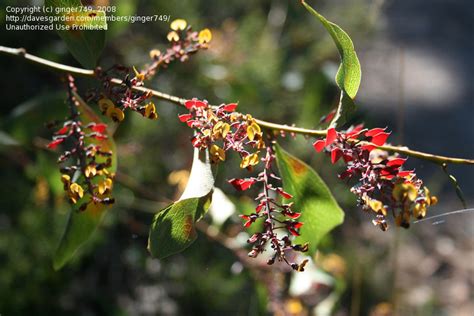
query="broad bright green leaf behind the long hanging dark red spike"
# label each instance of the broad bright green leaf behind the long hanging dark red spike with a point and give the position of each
(320, 212)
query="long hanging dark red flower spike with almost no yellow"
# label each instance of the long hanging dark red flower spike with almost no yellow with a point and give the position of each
(274, 217)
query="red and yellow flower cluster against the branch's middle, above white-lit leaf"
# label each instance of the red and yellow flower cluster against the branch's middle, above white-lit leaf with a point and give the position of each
(219, 129)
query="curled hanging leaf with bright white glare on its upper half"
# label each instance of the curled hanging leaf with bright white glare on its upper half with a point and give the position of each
(173, 228)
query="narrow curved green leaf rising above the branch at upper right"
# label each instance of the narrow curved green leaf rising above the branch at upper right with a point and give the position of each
(349, 74)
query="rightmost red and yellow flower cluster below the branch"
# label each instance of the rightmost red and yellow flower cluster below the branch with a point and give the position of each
(383, 186)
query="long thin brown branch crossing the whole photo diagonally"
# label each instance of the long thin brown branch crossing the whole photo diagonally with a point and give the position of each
(21, 52)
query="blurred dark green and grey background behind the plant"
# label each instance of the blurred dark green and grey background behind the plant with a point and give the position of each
(278, 62)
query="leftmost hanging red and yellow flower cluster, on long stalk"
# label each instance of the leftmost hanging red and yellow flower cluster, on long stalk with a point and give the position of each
(84, 166)
